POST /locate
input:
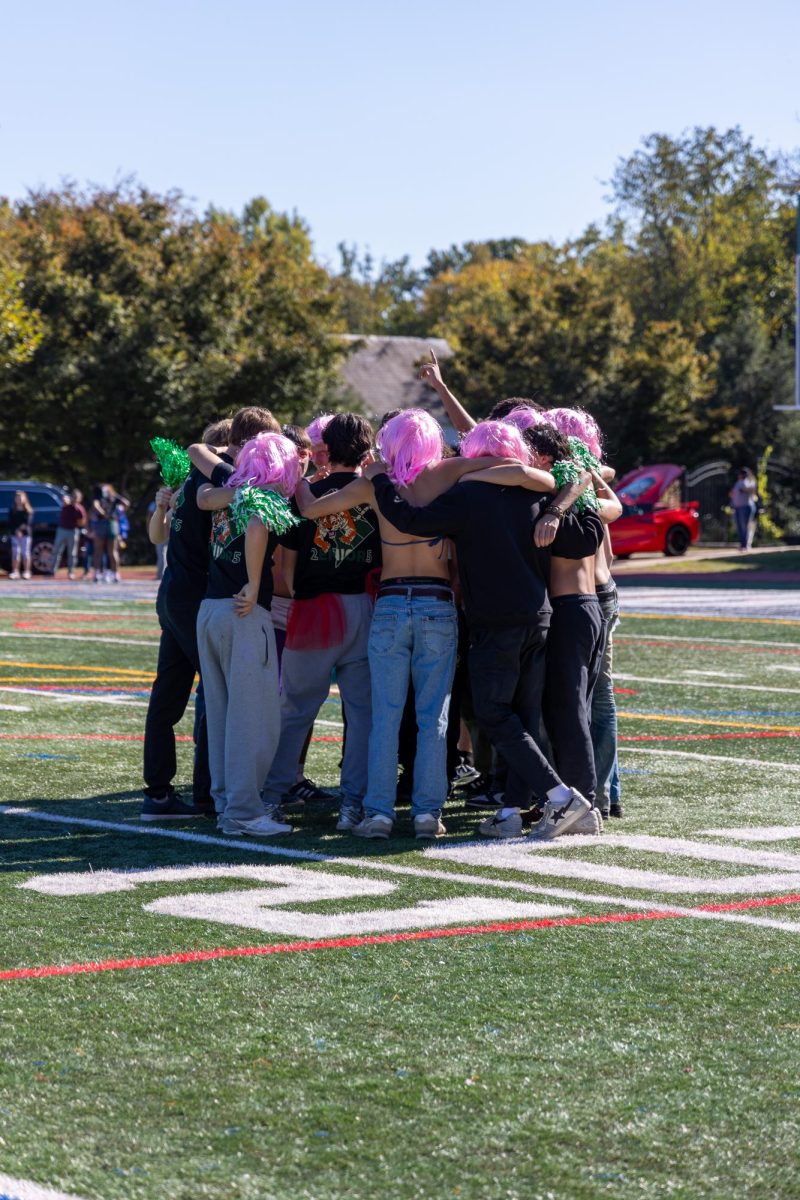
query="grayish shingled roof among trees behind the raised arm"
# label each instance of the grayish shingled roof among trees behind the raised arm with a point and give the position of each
(384, 374)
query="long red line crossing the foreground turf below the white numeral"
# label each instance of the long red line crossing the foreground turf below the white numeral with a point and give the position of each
(418, 935)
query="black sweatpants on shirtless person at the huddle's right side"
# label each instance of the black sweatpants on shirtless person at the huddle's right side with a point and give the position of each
(575, 647)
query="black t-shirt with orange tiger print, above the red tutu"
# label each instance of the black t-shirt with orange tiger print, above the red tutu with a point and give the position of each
(335, 554)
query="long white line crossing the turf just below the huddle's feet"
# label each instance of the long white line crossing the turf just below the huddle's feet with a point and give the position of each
(449, 877)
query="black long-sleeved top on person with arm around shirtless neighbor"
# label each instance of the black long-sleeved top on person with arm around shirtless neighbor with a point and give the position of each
(503, 574)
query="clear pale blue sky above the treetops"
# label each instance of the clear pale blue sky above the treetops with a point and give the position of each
(401, 127)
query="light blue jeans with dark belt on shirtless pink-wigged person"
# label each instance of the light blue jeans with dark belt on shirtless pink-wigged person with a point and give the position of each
(412, 638)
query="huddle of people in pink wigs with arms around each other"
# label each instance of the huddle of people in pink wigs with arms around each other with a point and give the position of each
(462, 604)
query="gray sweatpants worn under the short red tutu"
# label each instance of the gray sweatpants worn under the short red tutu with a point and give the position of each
(305, 685)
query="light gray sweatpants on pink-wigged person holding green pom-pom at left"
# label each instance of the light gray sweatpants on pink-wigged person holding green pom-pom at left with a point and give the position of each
(240, 681)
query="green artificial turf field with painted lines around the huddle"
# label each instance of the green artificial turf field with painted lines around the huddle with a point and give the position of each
(613, 1018)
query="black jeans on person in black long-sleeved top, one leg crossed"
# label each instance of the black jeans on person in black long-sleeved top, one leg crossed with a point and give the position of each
(507, 669)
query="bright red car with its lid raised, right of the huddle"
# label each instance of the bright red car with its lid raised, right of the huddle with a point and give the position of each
(655, 517)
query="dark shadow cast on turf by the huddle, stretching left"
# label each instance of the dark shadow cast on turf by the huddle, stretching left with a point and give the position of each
(37, 847)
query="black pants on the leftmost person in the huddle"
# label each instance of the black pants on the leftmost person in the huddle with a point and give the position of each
(178, 665)
